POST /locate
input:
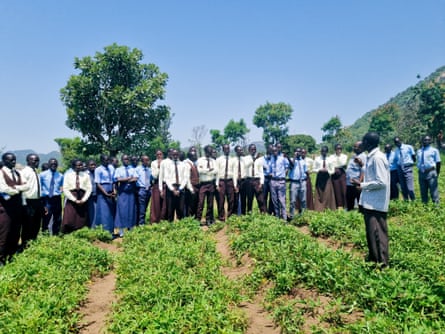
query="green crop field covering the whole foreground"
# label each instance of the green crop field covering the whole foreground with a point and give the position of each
(308, 276)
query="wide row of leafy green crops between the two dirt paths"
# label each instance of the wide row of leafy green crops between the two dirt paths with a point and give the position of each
(170, 282)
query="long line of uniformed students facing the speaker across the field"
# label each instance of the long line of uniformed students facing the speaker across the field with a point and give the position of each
(183, 185)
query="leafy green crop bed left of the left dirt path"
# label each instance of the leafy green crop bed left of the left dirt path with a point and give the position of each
(41, 290)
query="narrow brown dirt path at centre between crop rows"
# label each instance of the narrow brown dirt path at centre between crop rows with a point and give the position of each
(259, 320)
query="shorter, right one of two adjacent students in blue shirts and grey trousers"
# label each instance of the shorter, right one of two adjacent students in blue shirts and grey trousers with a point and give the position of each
(297, 177)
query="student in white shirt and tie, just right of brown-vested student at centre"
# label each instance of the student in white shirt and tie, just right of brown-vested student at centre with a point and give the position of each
(207, 178)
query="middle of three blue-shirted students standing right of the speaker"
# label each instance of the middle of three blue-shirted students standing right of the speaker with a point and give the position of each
(405, 157)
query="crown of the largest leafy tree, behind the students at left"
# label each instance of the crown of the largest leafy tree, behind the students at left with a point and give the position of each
(112, 102)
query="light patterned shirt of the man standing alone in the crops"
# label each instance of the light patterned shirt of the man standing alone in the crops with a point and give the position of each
(376, 184)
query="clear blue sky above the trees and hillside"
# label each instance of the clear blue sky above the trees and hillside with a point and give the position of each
(224, 58)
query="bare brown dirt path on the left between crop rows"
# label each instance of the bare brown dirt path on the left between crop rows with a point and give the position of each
(100, 297)
